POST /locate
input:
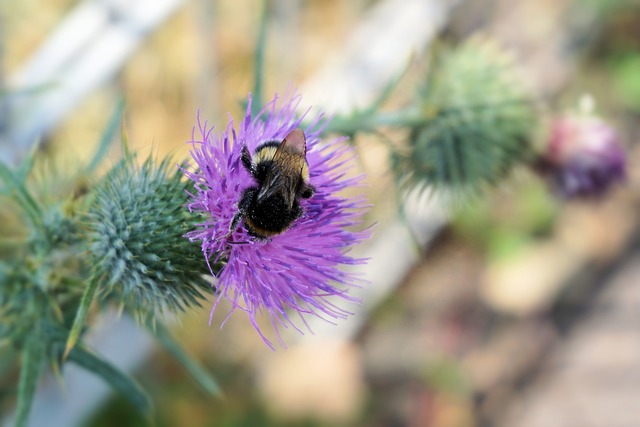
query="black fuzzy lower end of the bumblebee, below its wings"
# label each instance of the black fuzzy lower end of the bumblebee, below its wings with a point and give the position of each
(271, 216)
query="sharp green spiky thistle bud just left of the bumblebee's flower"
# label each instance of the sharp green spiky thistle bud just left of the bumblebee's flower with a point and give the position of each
(138, 252)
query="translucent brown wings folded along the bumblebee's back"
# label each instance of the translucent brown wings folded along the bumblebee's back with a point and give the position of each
(288, 162)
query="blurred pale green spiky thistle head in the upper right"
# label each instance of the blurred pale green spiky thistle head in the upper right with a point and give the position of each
(480, 122)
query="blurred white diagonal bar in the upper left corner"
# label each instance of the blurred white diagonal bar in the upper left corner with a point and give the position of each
(85, 51)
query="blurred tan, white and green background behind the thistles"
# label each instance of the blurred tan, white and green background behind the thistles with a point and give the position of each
(518, 309)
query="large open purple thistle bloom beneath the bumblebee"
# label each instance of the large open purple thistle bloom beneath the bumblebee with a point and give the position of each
(299, 271)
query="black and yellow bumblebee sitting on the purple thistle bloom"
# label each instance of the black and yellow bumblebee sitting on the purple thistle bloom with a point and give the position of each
(281, 172)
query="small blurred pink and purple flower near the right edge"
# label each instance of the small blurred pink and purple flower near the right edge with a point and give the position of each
(583, 156)
